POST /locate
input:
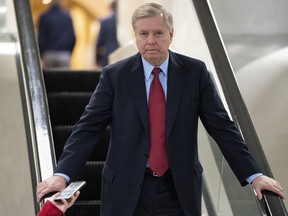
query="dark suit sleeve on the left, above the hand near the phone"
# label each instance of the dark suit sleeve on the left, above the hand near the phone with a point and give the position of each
(88, 131)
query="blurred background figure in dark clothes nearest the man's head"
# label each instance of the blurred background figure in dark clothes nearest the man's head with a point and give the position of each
(107, 39)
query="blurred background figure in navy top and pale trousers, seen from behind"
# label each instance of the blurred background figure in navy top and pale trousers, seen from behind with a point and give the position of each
(56, 36)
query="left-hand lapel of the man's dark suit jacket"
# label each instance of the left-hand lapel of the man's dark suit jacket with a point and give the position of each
(136, 85)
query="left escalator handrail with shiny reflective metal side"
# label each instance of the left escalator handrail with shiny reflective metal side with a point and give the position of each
(33, 80)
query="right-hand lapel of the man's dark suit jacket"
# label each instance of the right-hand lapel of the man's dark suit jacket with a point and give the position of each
(175, 83)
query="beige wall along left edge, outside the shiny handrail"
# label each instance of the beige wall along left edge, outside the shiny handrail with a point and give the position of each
(15, 179)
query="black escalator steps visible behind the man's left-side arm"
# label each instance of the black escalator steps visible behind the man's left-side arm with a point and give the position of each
(67, 101)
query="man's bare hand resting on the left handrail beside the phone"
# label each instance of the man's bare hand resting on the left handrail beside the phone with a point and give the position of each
(51, 184)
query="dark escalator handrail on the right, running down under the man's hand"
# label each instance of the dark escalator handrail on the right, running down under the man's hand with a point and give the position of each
(237, 107)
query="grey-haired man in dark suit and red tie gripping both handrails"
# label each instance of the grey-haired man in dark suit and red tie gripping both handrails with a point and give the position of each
(131, 186)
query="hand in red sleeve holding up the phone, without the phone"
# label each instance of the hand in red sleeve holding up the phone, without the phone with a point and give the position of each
(53, 208)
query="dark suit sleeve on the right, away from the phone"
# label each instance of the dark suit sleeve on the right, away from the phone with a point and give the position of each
(224, 131)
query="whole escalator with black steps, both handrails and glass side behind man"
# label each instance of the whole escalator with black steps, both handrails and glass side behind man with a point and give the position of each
(60, 97)
